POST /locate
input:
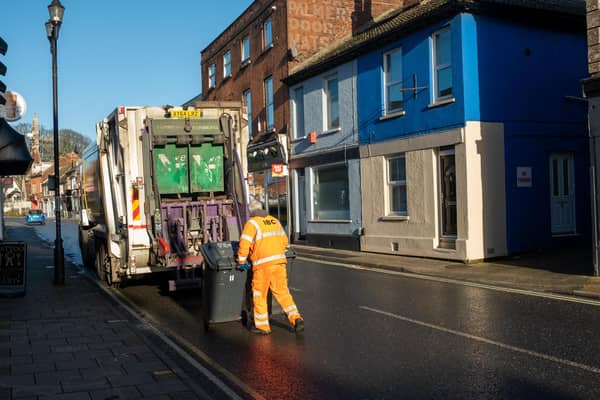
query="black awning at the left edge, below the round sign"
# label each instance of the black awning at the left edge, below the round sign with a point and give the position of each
(15, 158)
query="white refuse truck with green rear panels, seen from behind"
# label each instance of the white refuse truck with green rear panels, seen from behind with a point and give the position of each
(157, 184)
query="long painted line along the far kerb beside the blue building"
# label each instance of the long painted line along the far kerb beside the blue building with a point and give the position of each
(416, 275)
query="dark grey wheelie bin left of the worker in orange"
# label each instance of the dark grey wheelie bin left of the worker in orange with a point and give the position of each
(223, 284)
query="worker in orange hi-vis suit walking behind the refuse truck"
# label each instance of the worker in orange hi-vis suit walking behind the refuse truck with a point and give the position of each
(264, 241)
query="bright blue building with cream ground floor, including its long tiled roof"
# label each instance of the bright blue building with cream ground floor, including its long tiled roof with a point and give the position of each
(472, 143)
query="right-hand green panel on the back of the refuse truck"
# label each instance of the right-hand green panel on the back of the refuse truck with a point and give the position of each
(206, 168)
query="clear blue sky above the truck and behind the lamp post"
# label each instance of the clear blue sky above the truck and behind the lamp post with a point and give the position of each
(110, 53)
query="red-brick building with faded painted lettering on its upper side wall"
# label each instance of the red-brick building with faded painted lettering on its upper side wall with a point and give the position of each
(251, 57)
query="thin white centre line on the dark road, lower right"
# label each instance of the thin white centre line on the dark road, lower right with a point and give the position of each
(546, 357)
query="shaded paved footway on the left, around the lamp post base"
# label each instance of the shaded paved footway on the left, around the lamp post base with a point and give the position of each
(77, 342)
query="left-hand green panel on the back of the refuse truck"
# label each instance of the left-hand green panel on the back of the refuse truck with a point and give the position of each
(171, 169)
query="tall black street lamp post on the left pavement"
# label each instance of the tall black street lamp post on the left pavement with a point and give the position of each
(56, 10)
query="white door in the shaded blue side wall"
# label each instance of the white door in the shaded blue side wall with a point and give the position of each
(562, 193)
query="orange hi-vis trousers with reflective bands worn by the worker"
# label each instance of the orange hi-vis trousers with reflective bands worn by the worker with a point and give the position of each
(272, 276)
